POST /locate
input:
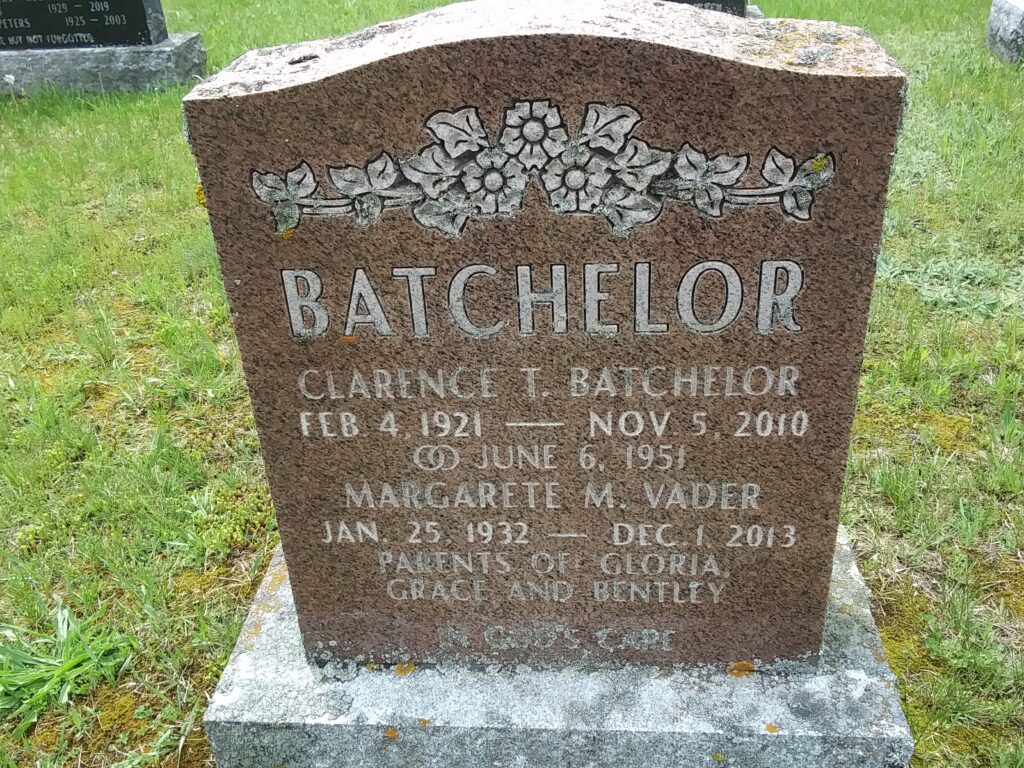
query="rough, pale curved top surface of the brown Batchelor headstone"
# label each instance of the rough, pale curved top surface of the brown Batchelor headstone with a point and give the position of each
(816, 48)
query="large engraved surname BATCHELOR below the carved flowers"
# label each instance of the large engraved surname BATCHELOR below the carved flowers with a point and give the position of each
(780, 283)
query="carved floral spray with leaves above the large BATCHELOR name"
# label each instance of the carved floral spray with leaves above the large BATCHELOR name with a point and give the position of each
(604, 170)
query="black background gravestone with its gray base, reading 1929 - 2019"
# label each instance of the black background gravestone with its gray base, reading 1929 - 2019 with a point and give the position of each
(95, 46)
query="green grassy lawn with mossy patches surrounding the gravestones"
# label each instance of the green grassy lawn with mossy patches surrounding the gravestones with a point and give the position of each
(135, 519)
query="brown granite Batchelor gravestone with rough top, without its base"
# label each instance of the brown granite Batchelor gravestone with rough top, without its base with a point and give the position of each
(552, 321)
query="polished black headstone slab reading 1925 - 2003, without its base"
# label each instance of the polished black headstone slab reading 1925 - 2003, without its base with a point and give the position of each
(79, 24)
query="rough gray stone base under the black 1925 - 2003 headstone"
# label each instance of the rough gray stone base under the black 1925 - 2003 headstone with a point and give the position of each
(121, 68)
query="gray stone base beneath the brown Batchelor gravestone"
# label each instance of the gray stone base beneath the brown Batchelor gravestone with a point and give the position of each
(272, 709)
